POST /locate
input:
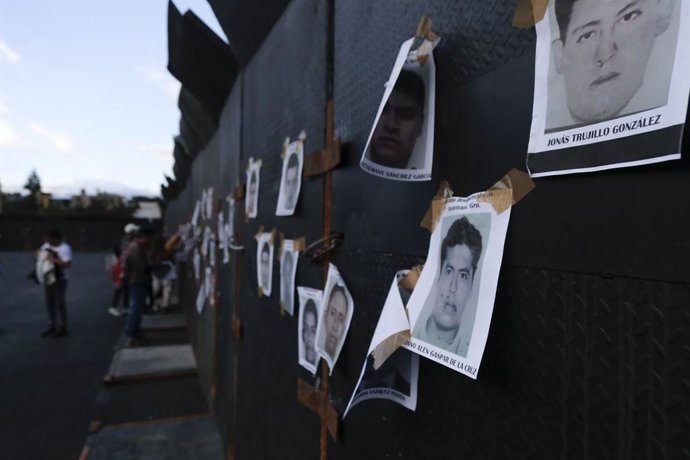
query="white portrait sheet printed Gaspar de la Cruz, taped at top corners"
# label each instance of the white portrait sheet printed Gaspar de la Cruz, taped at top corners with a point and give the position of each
(451, 306)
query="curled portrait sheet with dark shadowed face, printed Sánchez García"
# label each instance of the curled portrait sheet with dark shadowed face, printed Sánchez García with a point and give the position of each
(400, 144)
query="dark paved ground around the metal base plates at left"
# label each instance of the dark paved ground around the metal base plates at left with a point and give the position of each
(52, 388)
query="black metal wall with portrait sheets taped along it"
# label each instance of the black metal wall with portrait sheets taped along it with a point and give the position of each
(589, 350)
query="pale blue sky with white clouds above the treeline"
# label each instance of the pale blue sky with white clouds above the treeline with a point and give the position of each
(86, 99)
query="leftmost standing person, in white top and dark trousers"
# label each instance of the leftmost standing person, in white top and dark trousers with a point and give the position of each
(59, 254)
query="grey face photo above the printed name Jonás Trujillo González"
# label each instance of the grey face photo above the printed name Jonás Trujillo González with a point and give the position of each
(601, 55)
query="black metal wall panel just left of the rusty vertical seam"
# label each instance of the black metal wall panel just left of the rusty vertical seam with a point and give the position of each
(284, 93)
